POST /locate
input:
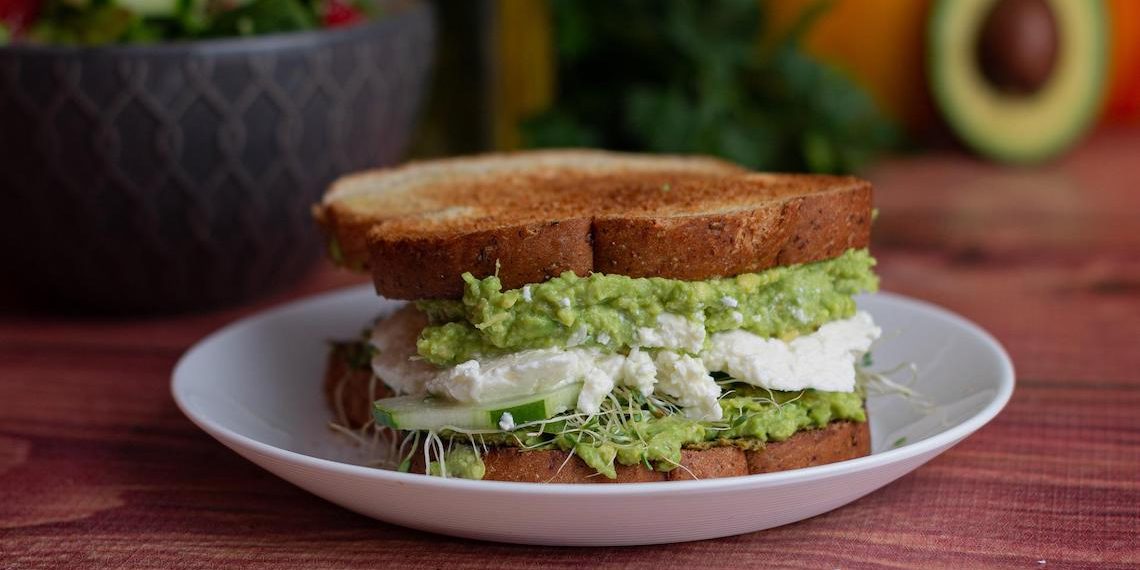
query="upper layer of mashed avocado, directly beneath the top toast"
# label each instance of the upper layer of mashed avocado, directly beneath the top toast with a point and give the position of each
(784, 302)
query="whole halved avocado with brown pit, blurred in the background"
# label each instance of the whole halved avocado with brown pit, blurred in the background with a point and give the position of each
(1019, 80)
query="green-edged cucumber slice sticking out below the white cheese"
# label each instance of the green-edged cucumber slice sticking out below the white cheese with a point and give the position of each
(430, 413)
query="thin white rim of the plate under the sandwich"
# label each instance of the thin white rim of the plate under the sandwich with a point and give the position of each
(230, 438)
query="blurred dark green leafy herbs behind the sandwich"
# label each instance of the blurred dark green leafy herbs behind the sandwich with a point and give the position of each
(682, 77)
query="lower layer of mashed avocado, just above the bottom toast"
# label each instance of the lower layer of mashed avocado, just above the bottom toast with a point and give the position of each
(752, 418)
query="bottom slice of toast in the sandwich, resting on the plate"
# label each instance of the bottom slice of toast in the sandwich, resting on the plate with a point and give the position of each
(347, 392)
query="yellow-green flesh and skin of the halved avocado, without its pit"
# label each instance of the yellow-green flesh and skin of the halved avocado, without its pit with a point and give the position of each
(1008, 125)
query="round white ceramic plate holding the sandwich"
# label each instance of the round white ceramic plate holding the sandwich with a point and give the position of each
(256, 387)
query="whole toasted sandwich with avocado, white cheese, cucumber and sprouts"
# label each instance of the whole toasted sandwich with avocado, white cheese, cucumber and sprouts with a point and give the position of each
(590, 317)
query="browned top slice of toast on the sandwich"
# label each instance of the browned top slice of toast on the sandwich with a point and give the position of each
(533, 216)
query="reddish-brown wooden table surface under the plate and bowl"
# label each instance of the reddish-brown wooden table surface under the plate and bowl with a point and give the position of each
(99, 468)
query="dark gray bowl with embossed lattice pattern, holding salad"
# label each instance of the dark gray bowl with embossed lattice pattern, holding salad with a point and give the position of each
(180, 176)
